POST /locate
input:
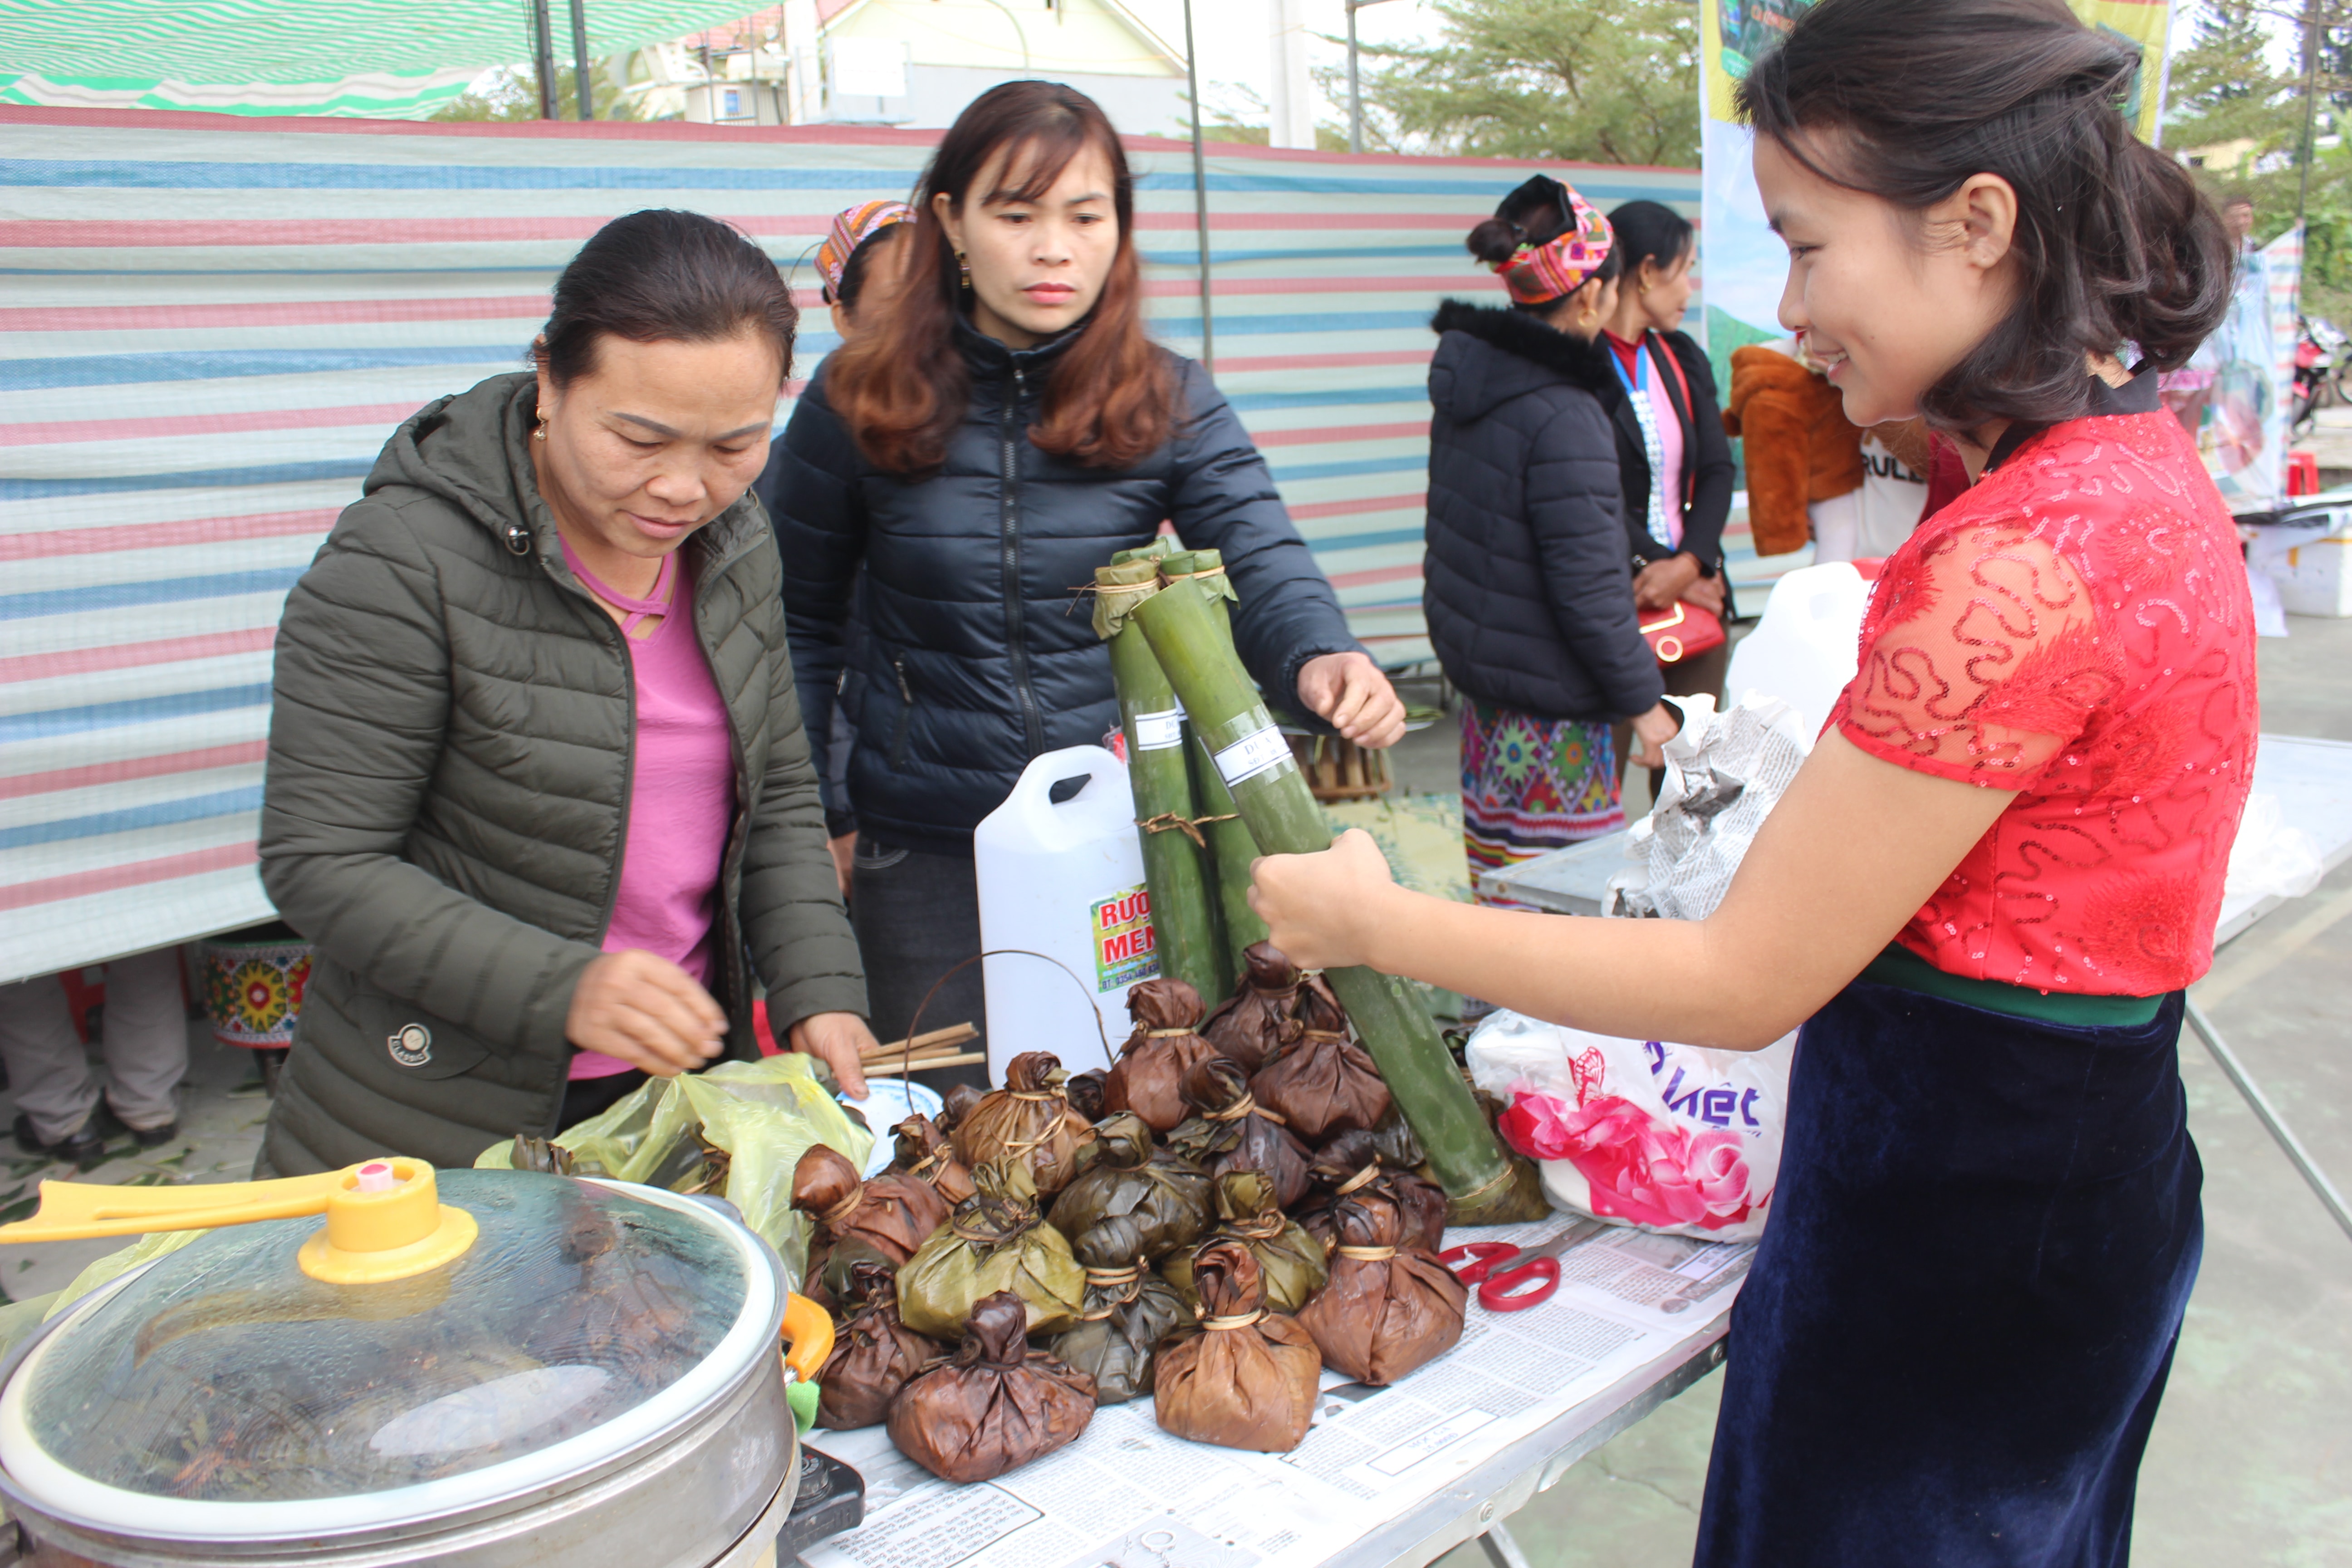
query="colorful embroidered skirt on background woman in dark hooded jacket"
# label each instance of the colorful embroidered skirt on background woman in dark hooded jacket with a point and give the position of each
(1532, 786)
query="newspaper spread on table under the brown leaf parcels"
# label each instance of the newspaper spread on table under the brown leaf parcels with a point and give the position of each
(1132, 1496)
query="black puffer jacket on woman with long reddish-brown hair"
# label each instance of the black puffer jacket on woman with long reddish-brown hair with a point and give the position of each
(975, 652)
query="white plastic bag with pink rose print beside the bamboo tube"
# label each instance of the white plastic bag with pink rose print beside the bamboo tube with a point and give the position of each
(1641, 1132)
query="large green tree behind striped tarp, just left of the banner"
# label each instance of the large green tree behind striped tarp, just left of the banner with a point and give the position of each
(1584, 81)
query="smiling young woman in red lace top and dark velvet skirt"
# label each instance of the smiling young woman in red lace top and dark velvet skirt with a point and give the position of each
(2005, 857)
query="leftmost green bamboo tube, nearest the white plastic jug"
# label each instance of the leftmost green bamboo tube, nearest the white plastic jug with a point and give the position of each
(1177, 871)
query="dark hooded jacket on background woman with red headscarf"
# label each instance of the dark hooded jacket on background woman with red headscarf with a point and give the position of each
(1528, 582)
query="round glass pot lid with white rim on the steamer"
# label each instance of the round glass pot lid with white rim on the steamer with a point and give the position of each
(229, 1393)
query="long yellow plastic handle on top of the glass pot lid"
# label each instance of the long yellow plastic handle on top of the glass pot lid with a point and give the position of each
(385, 1217)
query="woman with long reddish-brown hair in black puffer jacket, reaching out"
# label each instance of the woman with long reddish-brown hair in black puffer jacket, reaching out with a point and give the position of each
(994, 434)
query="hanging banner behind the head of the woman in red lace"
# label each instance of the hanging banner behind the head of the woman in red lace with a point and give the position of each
(1744, 260)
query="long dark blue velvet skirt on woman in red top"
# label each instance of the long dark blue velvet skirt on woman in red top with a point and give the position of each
(1967, 1299)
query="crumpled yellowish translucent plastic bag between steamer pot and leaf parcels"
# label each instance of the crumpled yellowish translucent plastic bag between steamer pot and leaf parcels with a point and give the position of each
(763, 1113)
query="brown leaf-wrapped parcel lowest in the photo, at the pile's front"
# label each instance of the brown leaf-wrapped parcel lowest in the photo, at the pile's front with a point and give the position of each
(996, 1407)
